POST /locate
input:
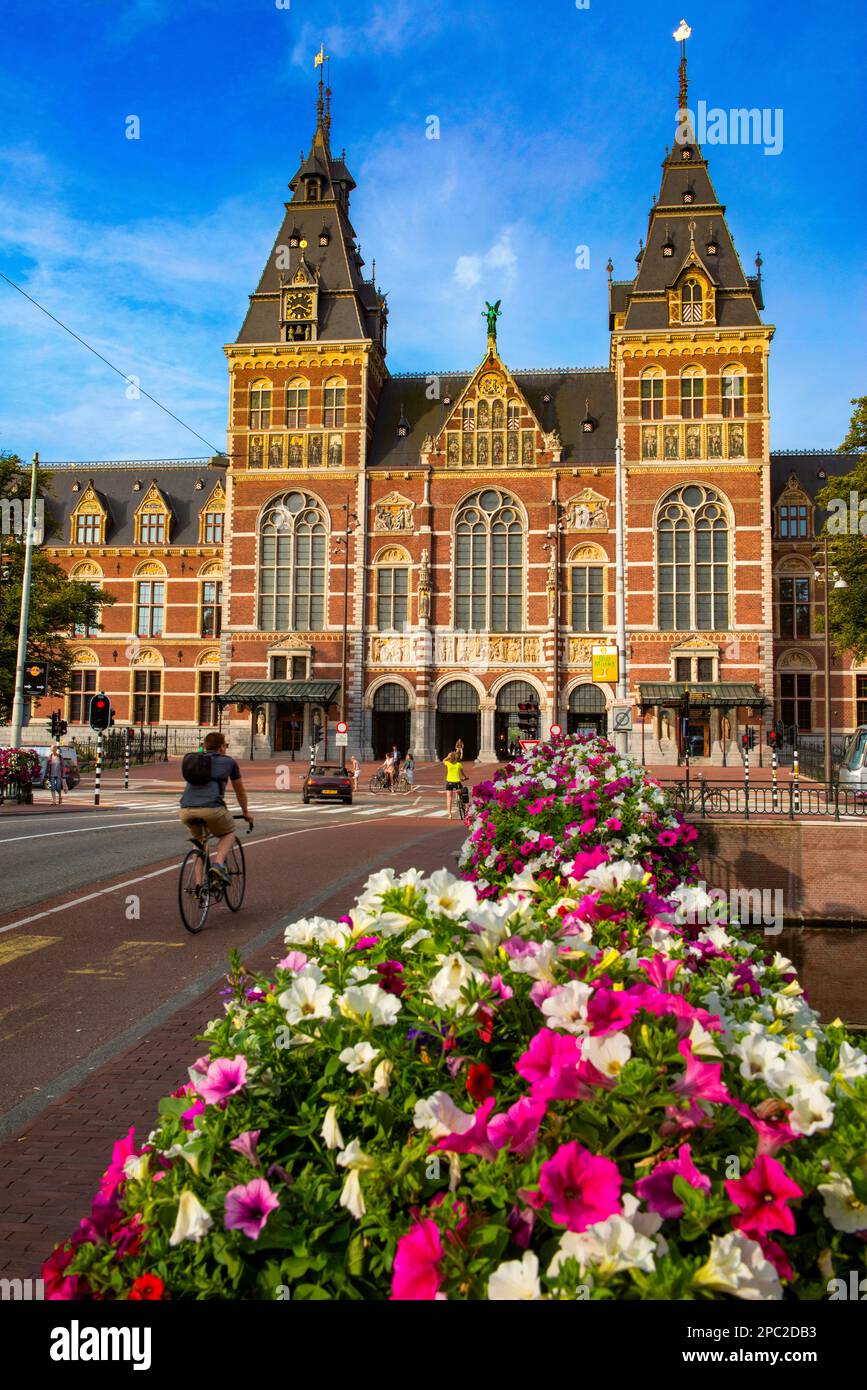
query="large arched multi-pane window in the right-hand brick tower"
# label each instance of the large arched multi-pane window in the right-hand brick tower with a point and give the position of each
(693, 561)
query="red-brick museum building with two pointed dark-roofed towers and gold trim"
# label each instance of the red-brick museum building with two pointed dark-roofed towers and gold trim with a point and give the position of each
(477, 573)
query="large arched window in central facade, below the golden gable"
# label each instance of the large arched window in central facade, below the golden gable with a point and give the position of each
(490, 564)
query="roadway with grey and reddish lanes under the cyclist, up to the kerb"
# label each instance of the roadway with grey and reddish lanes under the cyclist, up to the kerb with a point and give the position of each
(92, 949)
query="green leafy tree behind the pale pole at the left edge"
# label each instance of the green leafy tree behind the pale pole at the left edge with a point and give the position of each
(58, 604)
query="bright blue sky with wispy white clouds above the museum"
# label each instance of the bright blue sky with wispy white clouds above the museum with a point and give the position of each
(554, 123)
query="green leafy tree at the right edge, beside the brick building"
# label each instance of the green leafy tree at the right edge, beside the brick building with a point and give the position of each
(847, 532)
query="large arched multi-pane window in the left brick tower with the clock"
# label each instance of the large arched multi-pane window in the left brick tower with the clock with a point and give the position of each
(292, 555)
